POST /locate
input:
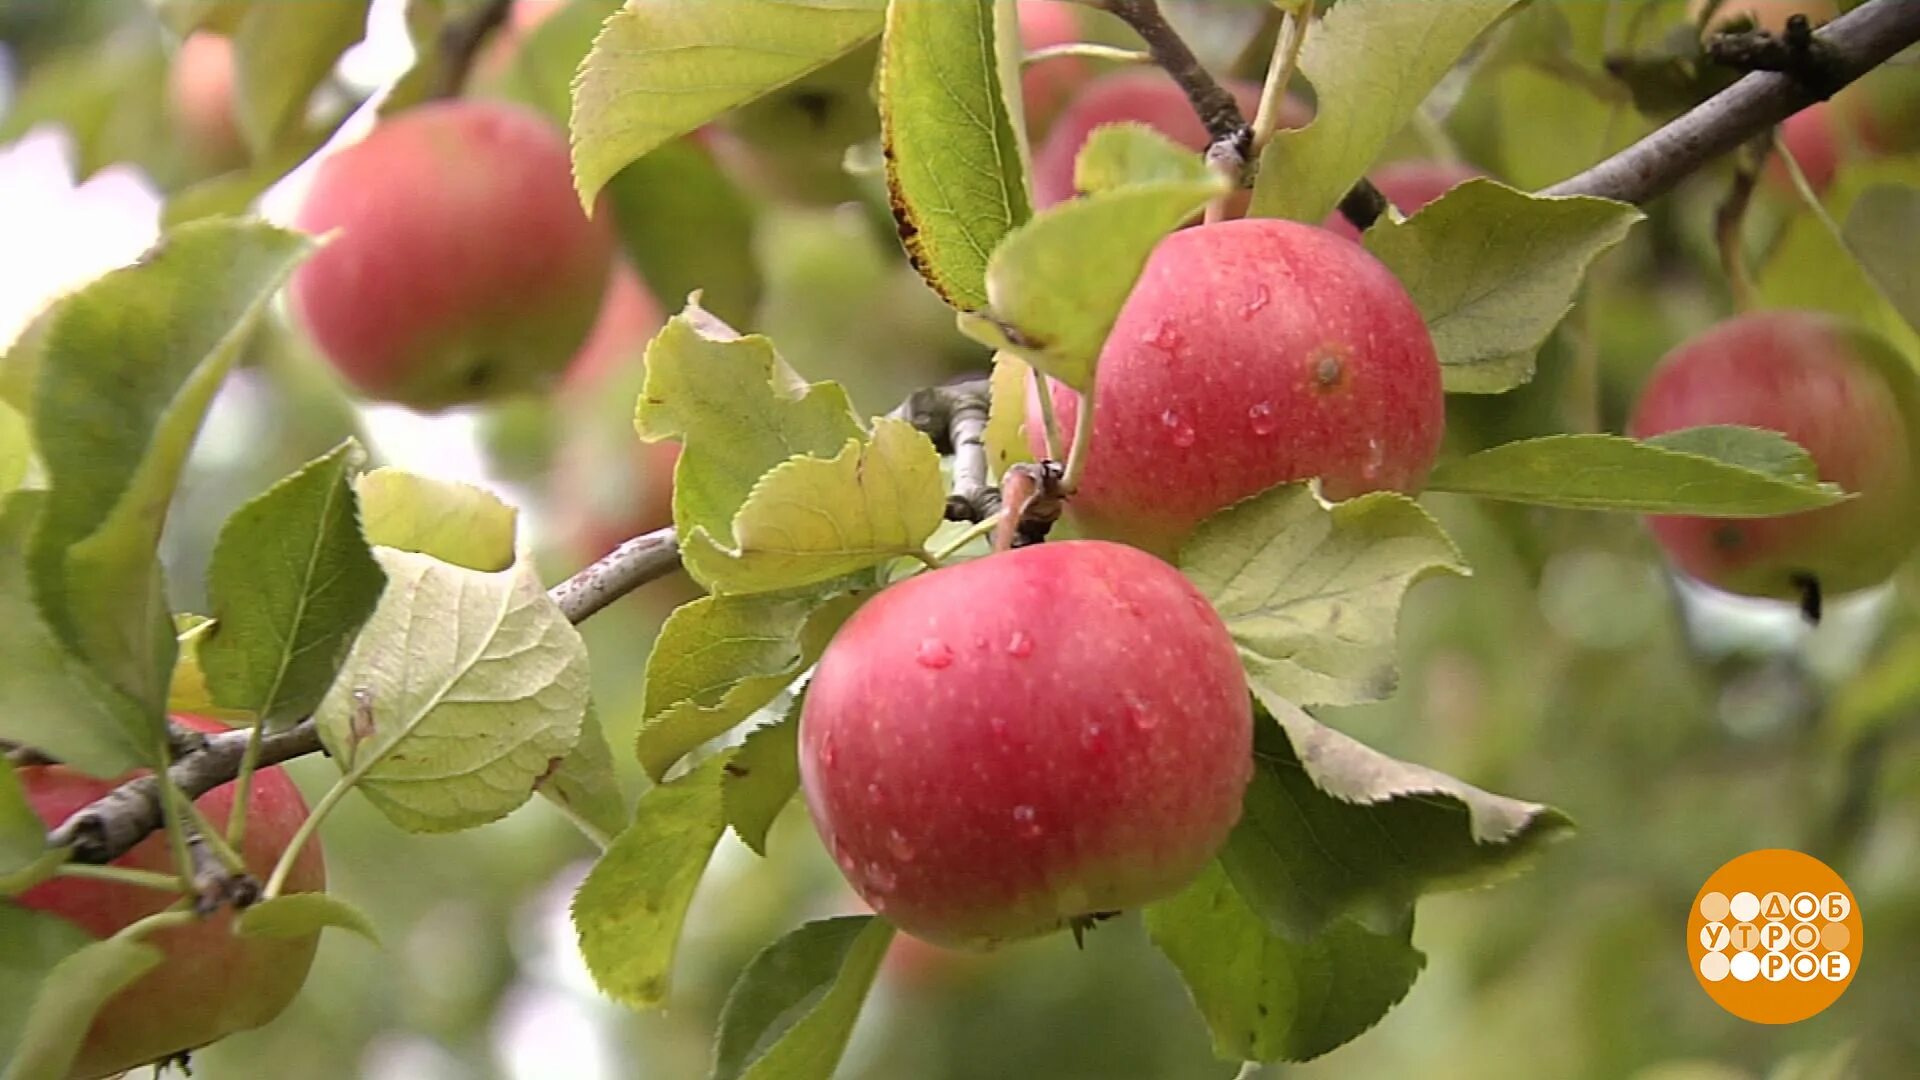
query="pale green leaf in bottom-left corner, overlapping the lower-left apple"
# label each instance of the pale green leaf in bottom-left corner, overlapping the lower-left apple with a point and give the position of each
(68, 1002)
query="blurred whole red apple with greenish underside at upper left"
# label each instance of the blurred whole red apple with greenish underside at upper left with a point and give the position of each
(464, 268)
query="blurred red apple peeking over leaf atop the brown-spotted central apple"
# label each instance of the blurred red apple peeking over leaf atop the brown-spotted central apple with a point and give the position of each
(1141, 95)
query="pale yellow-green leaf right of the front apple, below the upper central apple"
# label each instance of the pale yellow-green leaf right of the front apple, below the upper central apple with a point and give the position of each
(1312, 593)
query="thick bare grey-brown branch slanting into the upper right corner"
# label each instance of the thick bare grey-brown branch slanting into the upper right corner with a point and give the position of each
(1856, 43)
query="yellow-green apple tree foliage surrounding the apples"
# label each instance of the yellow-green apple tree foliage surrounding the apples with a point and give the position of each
(448, 687)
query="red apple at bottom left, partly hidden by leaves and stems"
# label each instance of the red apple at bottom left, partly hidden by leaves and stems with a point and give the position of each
(212, 983)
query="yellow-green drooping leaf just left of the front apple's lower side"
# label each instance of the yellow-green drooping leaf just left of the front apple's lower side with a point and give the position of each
(631, 910)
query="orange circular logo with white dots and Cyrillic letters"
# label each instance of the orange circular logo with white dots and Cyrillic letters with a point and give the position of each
(1775, 937)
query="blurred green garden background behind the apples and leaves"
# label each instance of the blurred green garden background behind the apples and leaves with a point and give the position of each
(1675, 727)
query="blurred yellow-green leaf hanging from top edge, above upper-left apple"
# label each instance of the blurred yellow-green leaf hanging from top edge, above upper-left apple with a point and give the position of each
(281, 55)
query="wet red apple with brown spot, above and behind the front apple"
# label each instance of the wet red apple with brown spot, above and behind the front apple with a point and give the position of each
(1253, 355)
